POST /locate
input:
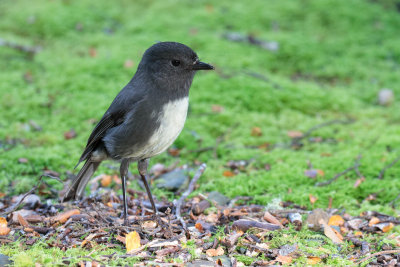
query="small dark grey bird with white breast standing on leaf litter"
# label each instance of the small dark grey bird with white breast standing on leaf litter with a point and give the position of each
(145, 117)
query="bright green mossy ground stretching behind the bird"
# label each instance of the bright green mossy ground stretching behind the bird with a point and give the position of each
(333, 58)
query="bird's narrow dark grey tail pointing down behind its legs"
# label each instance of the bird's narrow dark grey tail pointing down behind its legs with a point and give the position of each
(77, 188)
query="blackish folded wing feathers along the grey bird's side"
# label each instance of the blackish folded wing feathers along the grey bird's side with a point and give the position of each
(111, 118)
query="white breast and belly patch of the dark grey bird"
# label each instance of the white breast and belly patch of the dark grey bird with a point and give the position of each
(172, 119)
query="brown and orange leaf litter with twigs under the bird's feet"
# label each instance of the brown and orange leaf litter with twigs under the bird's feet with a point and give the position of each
(205, 230)
